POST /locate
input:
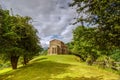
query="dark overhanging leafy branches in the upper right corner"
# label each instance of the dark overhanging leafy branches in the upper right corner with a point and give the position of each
(102, 12)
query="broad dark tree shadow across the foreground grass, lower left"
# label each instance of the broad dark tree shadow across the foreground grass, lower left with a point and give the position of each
(43, 70)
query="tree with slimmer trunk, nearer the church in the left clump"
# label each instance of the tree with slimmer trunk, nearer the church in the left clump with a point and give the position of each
(29, 40)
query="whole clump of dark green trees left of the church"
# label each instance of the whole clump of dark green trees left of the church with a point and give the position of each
(18, 37)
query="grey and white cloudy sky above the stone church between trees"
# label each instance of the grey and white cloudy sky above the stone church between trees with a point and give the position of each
(52, 18)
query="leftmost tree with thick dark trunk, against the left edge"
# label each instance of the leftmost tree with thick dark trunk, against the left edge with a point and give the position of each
(8, 37)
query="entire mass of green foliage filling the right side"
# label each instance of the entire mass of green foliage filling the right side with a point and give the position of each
(103, 39)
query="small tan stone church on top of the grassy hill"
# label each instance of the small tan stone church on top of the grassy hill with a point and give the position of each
(57, 47)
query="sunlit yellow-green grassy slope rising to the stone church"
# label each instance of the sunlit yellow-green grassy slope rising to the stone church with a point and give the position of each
(57, 67)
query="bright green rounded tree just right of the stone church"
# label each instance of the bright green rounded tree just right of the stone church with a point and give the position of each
(84, 46)
